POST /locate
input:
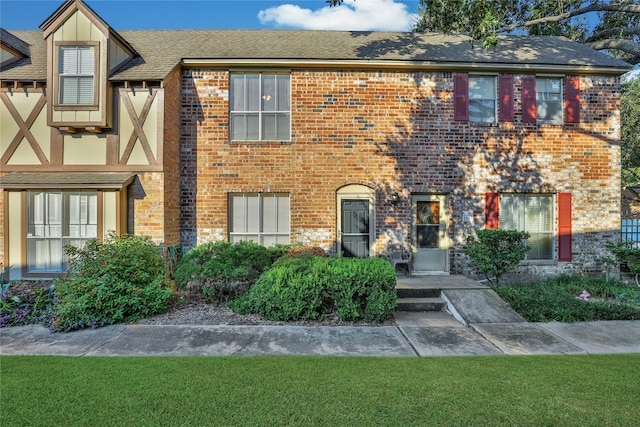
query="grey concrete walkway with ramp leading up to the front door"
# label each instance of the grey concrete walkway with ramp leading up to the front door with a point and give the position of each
(479, 324)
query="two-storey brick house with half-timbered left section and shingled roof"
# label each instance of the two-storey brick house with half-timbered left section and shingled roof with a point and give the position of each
(352, 141)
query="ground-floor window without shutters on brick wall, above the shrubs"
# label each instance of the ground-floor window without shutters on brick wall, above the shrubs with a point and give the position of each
(260, 217)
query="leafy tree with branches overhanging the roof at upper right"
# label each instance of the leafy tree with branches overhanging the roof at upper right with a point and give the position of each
(618, 30)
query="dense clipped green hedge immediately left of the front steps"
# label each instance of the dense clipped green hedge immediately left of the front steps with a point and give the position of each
(308, 287)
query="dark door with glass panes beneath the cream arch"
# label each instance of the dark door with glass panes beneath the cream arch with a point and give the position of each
(355, 228)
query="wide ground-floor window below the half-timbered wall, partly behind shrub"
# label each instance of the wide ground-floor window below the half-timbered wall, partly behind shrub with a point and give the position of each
(56, 219)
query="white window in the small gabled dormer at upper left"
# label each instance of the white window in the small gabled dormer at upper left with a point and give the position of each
(77, 75)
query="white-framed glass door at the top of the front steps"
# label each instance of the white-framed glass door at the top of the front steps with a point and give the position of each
(429, 233)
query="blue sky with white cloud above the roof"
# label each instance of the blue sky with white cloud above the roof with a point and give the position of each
(376, 15)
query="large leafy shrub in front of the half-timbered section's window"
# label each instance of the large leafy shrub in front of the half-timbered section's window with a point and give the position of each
(122, 279)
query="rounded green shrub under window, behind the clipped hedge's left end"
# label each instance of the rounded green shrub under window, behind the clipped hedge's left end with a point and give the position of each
(222, 270)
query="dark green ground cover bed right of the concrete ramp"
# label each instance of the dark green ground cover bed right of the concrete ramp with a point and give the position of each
(557, 300)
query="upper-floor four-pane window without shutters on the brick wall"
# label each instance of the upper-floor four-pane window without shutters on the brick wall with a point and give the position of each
(260, 107)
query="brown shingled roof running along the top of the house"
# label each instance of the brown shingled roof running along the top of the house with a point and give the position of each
(162, 50)
